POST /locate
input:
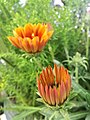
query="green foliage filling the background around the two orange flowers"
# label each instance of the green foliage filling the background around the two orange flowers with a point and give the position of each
(68, 46)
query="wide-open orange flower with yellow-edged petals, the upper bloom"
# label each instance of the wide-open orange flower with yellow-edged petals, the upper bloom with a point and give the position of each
(31, 38)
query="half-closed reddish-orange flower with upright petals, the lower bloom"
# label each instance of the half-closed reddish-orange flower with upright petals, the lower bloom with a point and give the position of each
(54, 85)
